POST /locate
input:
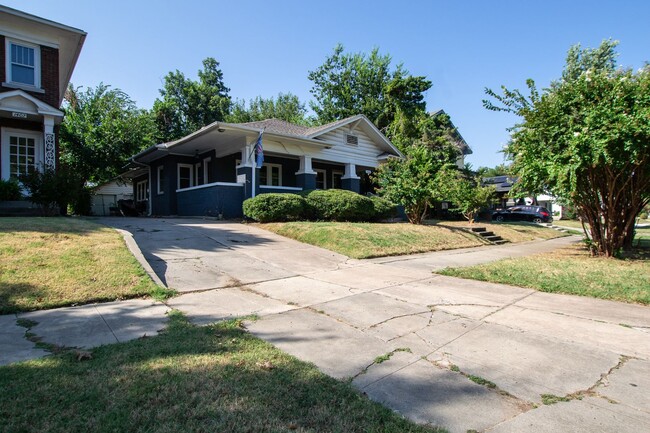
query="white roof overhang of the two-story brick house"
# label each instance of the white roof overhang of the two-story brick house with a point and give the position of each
(30, 28)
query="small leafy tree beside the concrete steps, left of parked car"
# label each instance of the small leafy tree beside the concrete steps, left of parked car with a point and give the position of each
(466, 194)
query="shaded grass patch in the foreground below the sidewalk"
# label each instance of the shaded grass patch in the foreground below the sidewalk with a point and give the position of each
(216, 378)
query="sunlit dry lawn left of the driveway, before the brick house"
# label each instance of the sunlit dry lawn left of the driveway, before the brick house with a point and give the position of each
(55, 262)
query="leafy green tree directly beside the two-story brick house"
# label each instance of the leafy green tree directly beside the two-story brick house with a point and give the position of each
(101, 129)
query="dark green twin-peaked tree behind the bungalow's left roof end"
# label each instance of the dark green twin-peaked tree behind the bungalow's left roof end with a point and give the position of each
(186, 105)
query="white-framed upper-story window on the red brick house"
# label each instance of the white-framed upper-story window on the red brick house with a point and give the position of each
(23, 63)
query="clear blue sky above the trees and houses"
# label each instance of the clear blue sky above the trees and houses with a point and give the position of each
(267, 47)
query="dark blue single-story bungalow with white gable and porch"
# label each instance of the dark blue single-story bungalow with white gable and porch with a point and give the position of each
(210, 172)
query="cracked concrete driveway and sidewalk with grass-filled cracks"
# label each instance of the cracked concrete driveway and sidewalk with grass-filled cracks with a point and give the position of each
(436, 331)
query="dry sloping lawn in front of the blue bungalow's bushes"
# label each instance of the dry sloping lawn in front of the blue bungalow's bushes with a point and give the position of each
(366, 240)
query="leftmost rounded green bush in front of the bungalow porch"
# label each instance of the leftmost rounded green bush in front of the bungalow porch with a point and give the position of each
(275, 207)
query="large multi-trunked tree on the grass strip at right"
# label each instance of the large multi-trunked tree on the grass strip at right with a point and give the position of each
(585, 140)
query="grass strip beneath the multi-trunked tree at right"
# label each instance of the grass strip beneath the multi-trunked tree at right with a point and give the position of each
(569, 270)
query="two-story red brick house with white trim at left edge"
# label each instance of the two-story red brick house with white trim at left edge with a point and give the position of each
(37, 57)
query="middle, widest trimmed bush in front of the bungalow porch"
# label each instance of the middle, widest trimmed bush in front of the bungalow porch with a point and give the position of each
(339, 205)
